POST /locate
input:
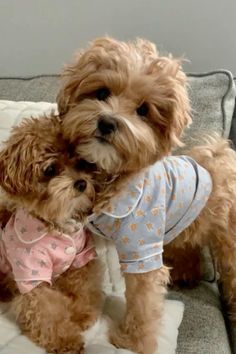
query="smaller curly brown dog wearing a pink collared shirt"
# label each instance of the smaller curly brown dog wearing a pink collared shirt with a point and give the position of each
(48, 266)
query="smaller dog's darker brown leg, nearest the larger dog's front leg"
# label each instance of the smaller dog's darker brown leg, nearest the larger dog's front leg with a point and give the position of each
(84, 285)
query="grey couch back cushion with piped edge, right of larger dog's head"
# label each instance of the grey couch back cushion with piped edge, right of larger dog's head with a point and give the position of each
(212, 97)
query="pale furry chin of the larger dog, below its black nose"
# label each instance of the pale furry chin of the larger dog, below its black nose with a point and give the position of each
(102, 153)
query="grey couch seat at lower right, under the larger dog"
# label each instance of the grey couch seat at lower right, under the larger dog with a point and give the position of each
(202, 330)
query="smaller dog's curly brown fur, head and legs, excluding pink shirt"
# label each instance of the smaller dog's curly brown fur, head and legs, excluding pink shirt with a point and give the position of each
(53, 317)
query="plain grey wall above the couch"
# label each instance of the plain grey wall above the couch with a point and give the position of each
(39, 36)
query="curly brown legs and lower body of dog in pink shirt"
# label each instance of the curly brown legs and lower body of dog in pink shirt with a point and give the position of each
(54, 317)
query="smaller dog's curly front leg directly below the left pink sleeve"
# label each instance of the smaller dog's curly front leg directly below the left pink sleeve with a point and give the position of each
(43, 315)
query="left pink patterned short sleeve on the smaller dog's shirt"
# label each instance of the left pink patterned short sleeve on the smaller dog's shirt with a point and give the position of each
(31, 265)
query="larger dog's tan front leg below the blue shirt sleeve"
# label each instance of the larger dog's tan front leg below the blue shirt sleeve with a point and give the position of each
(145, 299)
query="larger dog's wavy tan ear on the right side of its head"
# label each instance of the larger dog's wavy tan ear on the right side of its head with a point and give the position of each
(172, 99)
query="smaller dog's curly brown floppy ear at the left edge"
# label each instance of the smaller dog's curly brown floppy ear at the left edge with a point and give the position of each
(16, 175)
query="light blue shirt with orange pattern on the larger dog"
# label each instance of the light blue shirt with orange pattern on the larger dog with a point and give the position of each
(153, 209)
